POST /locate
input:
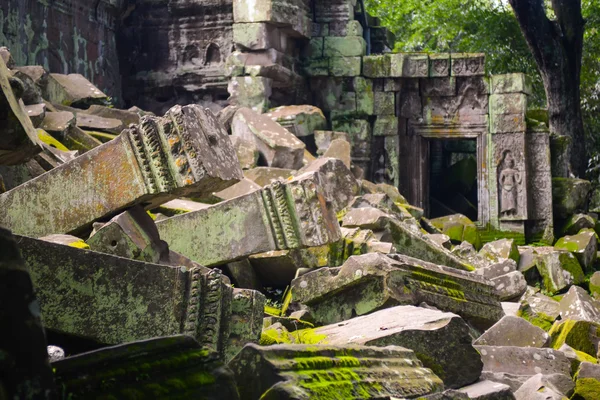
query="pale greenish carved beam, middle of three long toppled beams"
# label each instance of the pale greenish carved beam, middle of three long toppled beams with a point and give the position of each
(281, 216)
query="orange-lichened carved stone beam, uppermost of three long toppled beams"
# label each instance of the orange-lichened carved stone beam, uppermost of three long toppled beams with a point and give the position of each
(184, 153)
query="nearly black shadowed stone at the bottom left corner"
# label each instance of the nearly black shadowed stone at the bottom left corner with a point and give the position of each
(25, 371)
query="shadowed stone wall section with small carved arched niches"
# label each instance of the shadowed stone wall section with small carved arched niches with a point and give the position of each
(174, 52)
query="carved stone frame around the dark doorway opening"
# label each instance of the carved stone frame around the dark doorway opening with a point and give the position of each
(422, 133)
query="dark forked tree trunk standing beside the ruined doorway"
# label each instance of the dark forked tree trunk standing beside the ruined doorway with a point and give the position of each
(557, 48)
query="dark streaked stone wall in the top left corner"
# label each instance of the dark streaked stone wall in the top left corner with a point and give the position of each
(65, 36)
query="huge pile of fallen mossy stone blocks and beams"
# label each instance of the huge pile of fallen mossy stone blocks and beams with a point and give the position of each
(194, 255)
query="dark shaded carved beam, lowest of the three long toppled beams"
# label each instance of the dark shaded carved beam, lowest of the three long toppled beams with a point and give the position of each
(114, 300)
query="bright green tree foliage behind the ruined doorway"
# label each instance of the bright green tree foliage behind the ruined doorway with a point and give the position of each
(489, 26)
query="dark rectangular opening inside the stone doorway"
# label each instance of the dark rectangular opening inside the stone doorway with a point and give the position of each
(453, 186)
